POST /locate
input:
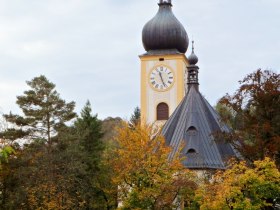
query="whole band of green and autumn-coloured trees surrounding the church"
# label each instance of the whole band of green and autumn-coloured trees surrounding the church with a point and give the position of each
(91, 165)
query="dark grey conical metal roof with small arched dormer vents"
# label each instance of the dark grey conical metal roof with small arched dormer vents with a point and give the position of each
(193, 123)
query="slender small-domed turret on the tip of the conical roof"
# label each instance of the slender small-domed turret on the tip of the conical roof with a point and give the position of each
(193, 70)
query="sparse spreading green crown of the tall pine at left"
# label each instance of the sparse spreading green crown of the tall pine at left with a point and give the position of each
(44, 112)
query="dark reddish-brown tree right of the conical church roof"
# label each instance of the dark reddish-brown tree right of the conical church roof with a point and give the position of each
(255, 110)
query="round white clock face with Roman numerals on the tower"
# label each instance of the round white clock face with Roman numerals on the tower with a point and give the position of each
(161, 78)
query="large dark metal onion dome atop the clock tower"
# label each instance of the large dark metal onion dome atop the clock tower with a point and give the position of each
(164, 31)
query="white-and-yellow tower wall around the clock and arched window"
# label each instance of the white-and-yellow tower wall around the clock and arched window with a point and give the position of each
(150, 98)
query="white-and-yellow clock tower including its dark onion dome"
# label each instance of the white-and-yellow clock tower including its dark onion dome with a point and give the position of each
(163, 66)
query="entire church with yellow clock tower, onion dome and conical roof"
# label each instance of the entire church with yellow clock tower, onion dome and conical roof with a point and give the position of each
(170, 94)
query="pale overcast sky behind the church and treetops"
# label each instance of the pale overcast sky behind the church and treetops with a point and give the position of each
(90, 48)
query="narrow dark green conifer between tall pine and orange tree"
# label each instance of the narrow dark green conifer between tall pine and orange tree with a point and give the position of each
(96, 178)
